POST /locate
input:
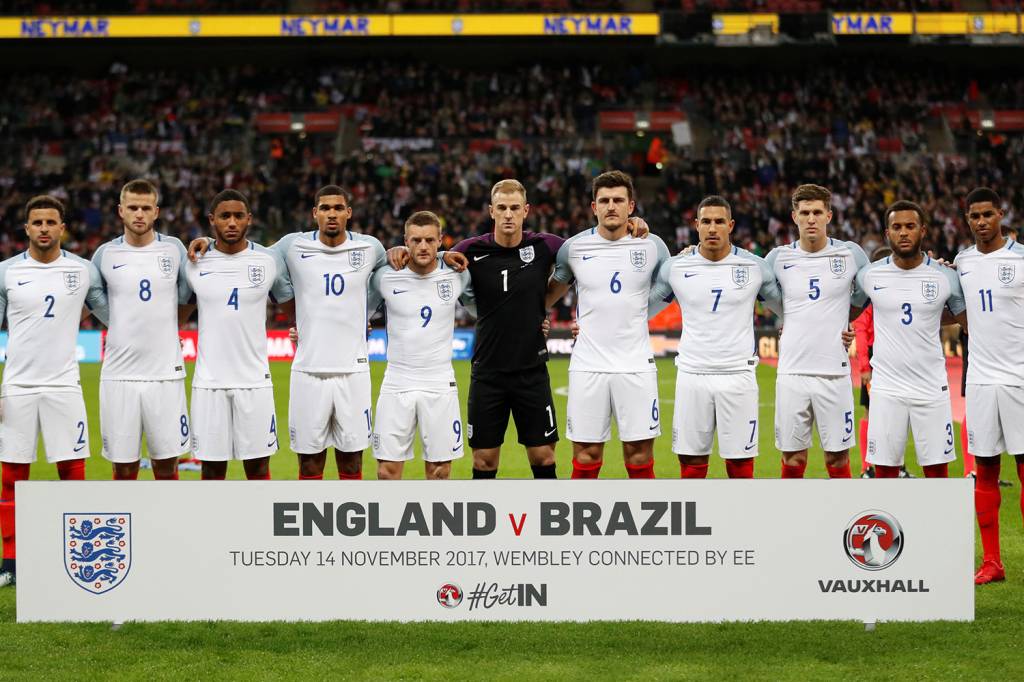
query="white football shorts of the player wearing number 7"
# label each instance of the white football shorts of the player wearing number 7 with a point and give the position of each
(706, 403)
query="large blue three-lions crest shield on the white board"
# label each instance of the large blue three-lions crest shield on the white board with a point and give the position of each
(98, 550)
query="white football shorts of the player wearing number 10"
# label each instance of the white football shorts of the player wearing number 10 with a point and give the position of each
(329, 410)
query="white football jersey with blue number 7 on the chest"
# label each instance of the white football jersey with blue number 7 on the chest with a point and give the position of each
(717, 301)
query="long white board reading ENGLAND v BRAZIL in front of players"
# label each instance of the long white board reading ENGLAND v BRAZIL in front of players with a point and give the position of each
(663, 550)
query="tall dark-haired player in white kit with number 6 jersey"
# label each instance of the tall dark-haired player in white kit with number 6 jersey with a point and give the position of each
(613, 370)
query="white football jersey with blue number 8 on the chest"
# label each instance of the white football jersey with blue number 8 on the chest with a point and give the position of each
(145, 286)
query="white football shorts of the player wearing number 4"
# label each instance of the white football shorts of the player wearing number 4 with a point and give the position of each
(234, 423)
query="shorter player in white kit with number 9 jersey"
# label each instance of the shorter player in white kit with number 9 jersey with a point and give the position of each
(419, 388)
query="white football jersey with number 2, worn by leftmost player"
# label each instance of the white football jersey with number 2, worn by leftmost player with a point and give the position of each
(44, 305)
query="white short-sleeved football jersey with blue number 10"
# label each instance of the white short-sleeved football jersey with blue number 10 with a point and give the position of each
(331, 286)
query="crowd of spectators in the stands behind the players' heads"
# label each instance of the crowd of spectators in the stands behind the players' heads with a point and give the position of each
(410, 137)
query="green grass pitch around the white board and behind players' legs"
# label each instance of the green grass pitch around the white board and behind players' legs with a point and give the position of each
(989, 649)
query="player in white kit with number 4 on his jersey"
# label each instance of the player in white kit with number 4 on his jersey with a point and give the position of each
(233, 397)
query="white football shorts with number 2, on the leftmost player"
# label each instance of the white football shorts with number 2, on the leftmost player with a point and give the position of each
(59, 414)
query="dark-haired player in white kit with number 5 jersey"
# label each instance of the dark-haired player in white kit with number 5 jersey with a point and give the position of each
(817, 275)
